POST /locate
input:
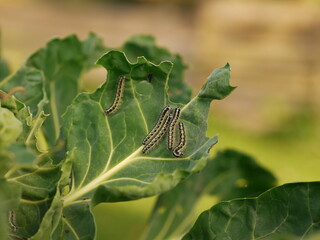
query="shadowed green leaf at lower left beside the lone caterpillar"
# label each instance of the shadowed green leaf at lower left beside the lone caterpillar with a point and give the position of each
(38, 188)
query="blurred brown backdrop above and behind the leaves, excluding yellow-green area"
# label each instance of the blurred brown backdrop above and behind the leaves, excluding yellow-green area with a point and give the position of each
(272, 46)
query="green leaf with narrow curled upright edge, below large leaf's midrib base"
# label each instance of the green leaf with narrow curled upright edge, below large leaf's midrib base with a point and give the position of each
(72, 222)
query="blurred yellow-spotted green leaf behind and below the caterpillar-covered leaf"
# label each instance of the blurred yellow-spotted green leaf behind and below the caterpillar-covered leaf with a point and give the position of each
(230, 174)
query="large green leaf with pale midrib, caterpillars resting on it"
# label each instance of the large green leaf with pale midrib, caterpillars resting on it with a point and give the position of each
(108, 148)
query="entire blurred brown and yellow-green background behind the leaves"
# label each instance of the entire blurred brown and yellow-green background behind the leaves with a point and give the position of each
(272, 46)
